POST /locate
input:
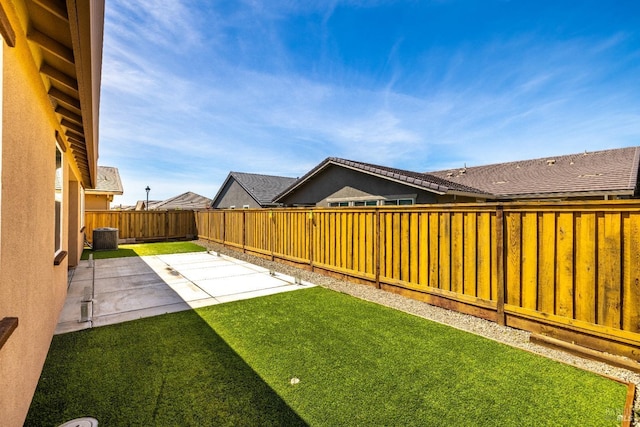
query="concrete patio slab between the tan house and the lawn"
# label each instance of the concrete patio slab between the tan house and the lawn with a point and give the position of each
(126, 289)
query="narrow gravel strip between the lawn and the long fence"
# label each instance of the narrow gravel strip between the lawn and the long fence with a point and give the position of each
(510, 336)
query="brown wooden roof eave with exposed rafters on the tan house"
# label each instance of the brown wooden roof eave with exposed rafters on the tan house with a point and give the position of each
(66, 44)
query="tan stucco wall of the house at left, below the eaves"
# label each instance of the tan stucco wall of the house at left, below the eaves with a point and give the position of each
(32, 288)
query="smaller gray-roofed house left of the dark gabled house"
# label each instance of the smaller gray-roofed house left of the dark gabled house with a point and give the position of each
(249, 190)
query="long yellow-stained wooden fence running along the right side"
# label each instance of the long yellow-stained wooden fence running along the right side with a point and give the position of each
(568, 270)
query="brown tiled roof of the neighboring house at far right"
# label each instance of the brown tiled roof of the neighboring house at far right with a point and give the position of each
(606, 174)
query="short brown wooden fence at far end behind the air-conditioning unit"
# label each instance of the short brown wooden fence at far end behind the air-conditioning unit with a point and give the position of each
(144, 226)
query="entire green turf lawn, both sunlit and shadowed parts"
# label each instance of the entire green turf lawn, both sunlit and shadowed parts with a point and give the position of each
(358, 363)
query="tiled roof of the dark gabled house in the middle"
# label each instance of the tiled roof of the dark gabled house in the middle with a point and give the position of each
(416, 179)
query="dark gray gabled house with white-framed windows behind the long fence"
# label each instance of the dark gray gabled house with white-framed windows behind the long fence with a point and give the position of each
(341, 182)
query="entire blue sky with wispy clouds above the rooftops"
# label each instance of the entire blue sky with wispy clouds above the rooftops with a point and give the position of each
(192, 90)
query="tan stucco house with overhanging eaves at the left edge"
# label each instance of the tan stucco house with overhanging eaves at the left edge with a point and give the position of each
(50, 62)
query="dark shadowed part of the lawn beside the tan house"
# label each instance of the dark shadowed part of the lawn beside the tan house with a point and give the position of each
(165, 370)
